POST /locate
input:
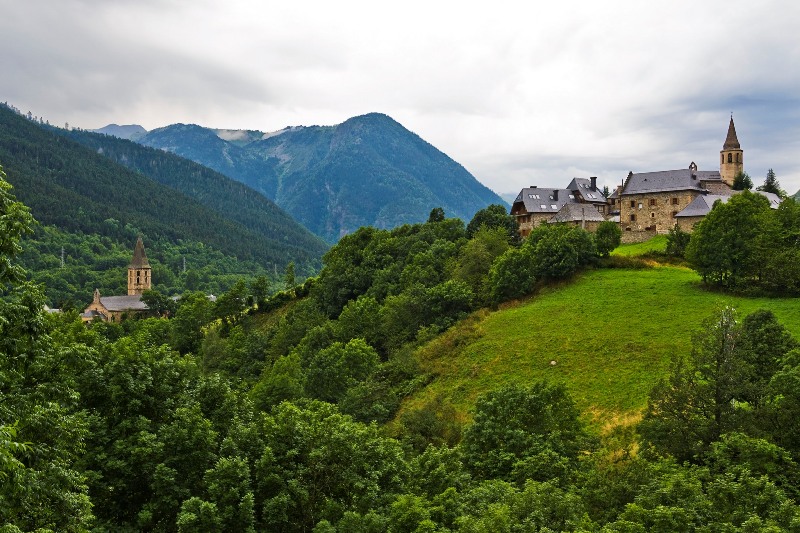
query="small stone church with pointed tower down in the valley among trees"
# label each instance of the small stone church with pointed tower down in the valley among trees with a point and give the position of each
(119, 308)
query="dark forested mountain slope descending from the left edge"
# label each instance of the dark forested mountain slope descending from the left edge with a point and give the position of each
(75, 188)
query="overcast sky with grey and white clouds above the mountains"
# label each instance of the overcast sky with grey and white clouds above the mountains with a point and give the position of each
(519, 93)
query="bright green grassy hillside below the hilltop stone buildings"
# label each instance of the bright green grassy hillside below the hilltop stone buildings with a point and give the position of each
(610, 333)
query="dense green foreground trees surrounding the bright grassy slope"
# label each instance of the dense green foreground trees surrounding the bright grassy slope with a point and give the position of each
(277, 407)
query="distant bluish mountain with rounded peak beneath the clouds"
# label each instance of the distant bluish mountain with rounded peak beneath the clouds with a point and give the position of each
(369, 170)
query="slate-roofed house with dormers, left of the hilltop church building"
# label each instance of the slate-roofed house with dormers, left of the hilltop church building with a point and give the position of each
(537, 205)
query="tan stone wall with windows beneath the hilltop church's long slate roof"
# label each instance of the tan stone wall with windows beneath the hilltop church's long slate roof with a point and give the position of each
(652, 212)
